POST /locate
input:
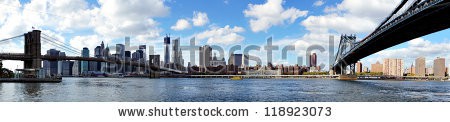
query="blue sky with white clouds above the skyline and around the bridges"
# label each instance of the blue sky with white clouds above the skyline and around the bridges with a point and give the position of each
(226, 23)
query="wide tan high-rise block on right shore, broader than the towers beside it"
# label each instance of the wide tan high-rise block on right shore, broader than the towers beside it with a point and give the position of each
(393, 67)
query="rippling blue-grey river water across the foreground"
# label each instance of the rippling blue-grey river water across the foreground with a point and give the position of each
(219, 89)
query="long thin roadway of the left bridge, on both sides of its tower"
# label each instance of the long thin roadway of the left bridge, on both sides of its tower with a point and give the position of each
(22, 56)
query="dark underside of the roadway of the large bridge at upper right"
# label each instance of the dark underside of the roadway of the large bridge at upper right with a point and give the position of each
(432, 17)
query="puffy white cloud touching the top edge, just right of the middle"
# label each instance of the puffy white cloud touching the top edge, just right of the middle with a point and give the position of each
(271, 14)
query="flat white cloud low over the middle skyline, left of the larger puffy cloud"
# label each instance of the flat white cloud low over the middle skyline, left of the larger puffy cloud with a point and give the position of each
(225, 35)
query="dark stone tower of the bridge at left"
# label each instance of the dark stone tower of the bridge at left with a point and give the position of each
(32, 49)
